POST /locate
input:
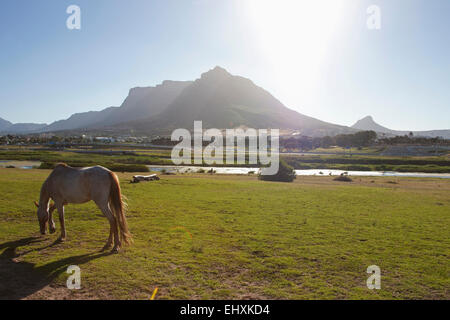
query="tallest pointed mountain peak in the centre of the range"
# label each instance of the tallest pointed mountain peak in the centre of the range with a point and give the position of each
(222, 100)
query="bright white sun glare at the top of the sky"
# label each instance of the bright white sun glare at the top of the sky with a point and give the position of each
(294, 36)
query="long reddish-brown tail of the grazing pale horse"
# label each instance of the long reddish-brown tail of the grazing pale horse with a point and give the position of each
(118, 207)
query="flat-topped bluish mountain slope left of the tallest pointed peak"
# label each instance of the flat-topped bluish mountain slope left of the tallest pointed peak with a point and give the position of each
(141, 102)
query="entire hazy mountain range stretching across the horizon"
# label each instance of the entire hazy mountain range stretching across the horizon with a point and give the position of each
(218, 98)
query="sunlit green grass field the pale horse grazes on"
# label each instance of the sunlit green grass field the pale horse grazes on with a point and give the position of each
(212, 237)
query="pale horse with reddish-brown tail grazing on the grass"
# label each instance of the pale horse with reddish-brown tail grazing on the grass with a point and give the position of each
(72, 185)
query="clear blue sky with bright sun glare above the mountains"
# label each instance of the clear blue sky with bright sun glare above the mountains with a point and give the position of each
(318, 57)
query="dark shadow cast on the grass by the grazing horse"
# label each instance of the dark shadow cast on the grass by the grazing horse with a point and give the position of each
(19, 279)
